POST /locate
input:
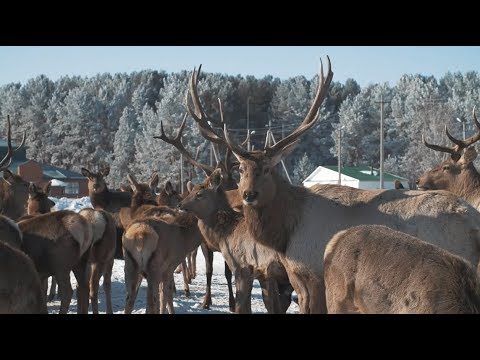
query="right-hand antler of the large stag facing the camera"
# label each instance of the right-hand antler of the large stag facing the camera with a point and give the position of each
(313, 113)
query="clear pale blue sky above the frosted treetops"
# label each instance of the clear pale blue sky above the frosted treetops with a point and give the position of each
(366, 64)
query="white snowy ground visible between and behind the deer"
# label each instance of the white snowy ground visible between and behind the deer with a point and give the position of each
(182, 303)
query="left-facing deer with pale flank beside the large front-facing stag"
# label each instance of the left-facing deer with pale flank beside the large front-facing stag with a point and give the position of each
(224, 228)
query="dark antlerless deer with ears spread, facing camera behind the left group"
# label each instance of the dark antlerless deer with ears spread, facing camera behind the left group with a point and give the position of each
(111, 201)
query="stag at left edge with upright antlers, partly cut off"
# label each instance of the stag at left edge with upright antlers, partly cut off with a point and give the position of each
(13, 189)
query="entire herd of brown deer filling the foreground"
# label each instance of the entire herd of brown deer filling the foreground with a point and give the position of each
(342, 250)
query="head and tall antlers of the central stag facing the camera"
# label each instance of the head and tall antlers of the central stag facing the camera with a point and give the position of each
(257, 185)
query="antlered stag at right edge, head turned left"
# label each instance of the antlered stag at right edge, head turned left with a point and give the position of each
(457, 174)
